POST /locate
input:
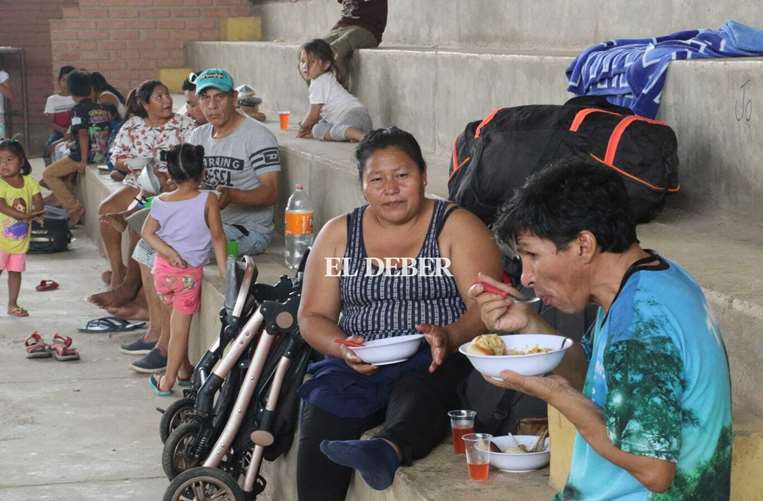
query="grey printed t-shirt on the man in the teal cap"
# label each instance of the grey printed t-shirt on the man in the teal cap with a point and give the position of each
(237, 161)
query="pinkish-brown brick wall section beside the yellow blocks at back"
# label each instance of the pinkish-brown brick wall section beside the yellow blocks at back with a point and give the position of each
(130, 40)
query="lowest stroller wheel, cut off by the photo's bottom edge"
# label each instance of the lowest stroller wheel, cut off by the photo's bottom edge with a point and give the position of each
(204, 484)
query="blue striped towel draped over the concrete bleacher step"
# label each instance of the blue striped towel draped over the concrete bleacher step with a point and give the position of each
(631, 72)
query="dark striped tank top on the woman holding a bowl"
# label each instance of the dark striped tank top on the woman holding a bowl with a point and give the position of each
(388, 304)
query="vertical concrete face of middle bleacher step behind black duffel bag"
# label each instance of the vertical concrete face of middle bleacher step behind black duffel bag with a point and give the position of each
(434, 93)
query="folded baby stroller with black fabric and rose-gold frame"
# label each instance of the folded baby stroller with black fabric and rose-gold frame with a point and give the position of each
(245, 409)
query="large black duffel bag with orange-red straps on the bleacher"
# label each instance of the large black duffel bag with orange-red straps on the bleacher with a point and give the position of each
(494, 156)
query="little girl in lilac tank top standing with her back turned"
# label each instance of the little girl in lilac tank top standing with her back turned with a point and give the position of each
(183, 226)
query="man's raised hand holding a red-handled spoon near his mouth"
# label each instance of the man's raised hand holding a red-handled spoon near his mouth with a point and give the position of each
(497, 313)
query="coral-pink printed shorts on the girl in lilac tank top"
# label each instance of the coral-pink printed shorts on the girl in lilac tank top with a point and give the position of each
(180, 287)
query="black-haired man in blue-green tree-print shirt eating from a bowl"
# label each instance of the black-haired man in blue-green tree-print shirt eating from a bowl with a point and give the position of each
(654, 418)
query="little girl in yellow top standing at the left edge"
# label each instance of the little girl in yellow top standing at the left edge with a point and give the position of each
(20, 202)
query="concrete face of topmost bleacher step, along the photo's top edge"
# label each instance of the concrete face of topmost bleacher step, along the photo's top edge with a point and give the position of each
(516, 24)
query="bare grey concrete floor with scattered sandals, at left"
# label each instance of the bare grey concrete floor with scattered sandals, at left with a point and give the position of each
(73, 430)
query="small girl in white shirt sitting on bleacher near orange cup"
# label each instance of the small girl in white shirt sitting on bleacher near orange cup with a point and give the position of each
(335, 114)
